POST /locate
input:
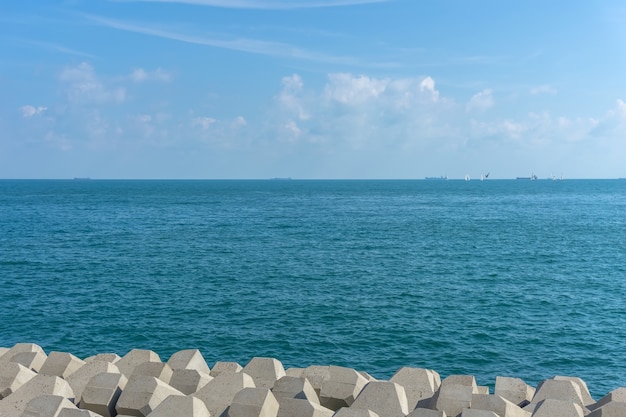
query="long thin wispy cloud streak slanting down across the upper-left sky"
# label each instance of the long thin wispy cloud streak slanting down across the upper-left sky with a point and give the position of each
(276, 49)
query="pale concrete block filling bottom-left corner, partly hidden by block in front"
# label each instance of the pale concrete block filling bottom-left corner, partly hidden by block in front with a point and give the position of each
(15, 404)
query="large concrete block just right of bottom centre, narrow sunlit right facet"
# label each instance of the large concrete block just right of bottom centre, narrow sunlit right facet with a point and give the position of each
(341, 387)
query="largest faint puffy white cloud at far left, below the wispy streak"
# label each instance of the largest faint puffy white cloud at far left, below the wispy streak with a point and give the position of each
(83, 85)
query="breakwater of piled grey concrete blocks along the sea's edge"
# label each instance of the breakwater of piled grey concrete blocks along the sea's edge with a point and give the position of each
(59, 384)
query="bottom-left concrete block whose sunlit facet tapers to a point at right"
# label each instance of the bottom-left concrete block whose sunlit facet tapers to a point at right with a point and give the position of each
(142, 395)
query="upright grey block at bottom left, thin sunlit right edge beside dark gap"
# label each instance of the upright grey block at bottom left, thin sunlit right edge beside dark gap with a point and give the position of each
(102, 392)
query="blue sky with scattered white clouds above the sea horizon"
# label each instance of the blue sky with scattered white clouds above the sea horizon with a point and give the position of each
(312, 88)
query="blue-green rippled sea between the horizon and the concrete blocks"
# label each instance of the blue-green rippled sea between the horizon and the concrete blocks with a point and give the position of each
(515, 278)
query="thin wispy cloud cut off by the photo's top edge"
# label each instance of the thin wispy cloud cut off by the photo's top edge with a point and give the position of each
(268, 5)
